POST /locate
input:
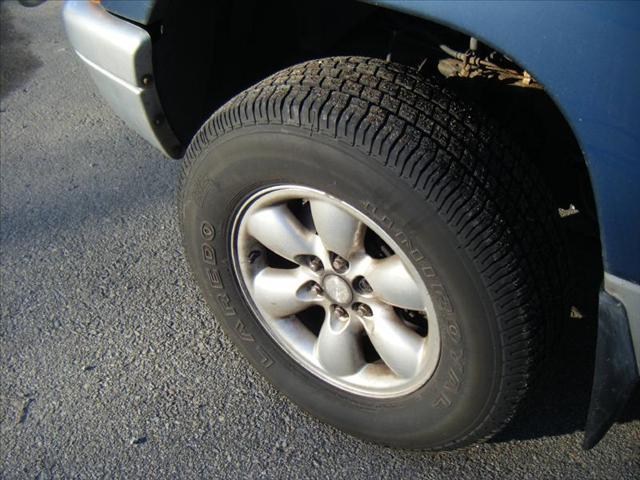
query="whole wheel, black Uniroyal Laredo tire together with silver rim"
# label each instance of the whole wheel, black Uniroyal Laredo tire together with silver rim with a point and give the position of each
(376, 248)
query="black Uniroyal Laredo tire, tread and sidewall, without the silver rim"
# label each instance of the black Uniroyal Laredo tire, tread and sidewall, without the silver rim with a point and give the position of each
(440, 180)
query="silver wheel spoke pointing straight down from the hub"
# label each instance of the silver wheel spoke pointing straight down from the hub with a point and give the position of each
(338, 347)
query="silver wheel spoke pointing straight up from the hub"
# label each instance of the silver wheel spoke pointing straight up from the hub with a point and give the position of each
(338, 230)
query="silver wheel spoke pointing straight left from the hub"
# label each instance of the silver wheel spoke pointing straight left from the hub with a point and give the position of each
(275, 290)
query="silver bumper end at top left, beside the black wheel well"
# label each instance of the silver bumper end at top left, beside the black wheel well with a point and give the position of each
(118, 55)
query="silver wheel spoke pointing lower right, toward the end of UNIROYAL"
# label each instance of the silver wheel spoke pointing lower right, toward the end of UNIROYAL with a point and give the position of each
(398, 346)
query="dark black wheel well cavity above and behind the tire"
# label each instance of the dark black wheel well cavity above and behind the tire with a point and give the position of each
(204, 56)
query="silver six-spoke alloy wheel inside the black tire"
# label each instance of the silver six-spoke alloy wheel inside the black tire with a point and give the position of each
(335, 291)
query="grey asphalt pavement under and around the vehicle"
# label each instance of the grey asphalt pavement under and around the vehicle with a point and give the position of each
(112, 366)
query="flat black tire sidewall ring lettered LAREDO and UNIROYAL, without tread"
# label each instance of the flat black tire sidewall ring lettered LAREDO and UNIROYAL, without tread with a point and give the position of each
(463, 388)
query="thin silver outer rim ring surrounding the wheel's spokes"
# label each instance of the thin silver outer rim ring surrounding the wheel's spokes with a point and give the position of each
(386, 387)
